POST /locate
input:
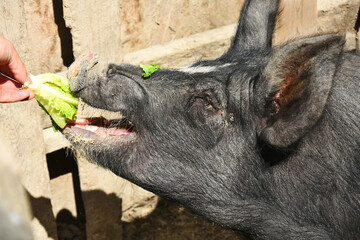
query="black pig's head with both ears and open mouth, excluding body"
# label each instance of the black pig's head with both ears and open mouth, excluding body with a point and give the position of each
(200, 134)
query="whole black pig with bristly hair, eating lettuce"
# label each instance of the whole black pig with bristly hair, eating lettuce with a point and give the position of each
(264, 140)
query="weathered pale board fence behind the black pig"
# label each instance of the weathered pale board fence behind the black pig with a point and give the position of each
(49, 34)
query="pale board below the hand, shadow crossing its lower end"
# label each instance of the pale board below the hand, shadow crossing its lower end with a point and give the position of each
(21, 131)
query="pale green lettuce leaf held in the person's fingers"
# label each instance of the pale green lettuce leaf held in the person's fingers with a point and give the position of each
(52, 91)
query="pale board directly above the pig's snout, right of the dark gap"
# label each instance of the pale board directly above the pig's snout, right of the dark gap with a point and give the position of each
(95, 27)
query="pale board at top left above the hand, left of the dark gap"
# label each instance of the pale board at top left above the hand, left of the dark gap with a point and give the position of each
(30, 26)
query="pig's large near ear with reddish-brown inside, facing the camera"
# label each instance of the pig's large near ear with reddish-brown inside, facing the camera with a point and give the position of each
(296, 83)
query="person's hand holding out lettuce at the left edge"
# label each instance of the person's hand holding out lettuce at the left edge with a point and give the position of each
(11, 64)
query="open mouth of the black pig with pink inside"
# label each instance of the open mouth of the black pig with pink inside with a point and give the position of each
(101, 129)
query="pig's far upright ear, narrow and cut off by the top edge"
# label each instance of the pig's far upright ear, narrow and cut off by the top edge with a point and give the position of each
(256, 25)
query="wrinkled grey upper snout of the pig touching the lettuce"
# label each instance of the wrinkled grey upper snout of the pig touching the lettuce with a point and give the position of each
(117, 89)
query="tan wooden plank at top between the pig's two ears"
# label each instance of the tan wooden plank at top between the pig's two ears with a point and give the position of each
(298, 18)
